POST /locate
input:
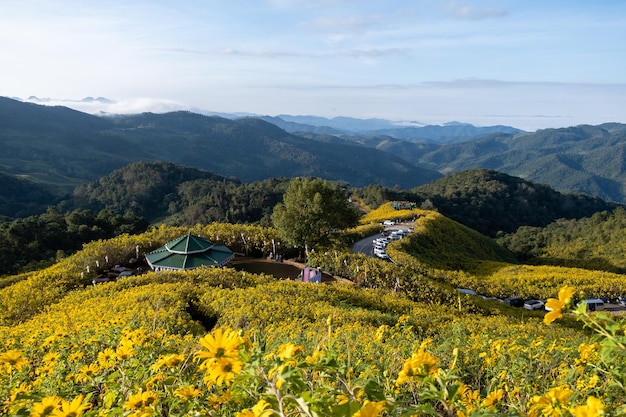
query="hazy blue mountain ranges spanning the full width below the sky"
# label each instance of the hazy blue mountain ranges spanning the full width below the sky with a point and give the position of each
(60, 147)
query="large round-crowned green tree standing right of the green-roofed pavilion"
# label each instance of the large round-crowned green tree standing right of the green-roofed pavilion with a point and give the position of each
(312, 211)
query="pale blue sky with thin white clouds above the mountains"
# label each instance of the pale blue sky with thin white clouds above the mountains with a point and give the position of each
(531, 64)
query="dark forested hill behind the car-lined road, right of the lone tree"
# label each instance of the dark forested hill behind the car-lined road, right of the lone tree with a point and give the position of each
(491, 202)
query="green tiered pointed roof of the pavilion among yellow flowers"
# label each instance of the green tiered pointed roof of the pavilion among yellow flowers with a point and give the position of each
(189, 252)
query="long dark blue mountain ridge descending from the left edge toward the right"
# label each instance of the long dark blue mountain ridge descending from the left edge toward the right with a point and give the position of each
(65, 148)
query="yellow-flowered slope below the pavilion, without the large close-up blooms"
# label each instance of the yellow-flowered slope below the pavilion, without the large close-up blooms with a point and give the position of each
(140, 335)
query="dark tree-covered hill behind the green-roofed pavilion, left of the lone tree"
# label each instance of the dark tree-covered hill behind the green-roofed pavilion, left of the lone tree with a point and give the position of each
(162, 191)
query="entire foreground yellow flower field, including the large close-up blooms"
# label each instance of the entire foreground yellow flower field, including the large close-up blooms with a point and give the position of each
(286, 348)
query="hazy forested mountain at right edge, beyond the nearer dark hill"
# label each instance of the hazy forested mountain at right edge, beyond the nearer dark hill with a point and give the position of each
(582, 159)
